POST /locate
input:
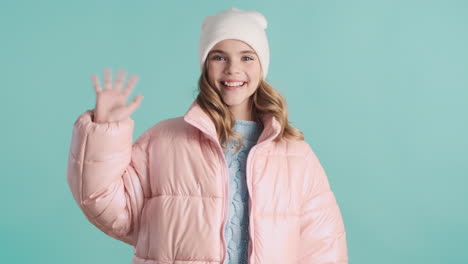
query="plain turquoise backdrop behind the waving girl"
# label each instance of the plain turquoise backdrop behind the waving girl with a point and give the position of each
(379, 88)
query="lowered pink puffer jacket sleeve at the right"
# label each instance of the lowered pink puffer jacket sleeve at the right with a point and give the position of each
(323, 236)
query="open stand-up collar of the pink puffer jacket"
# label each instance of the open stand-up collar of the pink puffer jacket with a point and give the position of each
(199, 119)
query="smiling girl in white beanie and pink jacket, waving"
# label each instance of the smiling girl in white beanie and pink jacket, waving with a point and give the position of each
(229, 182)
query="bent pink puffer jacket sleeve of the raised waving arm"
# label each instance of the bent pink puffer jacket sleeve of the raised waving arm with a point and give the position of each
(107, 175)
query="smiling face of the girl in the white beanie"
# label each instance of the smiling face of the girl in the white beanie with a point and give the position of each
(235, 62)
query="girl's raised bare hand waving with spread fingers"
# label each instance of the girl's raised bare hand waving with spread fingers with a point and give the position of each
(111, 102)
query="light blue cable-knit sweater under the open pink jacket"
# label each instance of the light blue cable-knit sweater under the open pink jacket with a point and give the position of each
(237, 226)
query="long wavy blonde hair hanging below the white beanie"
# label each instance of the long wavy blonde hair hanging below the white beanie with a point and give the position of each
(265, 100)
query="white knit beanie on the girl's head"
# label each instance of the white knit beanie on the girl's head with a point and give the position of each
(233, 23)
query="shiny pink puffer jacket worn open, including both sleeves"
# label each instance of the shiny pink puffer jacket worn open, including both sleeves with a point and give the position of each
(166, 193)
